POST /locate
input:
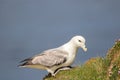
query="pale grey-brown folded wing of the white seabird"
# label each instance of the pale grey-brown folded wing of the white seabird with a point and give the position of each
(50, 58)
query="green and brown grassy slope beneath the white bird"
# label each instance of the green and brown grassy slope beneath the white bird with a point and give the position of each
(98, 68)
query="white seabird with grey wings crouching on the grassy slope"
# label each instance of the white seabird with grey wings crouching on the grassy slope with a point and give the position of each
(56, 59)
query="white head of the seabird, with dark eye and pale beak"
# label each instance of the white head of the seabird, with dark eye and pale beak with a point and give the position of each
(79, 42)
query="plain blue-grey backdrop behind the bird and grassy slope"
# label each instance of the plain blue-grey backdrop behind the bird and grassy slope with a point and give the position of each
(27, 27)
